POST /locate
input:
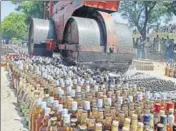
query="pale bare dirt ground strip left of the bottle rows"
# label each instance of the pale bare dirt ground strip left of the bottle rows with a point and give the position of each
(10, 118)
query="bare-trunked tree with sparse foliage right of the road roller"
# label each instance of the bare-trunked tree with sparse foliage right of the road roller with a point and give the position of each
(144, 14)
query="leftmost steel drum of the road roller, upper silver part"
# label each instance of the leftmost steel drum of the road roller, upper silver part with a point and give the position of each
(39, 31)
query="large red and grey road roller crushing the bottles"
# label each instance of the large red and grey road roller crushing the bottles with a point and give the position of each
(83, 32)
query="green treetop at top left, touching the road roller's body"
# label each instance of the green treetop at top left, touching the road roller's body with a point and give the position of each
(31, 8)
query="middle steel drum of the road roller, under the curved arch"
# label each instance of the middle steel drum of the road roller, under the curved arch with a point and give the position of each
(83, 31)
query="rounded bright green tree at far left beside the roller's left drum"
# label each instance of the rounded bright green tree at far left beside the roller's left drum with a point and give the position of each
(14, 26)
